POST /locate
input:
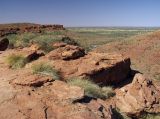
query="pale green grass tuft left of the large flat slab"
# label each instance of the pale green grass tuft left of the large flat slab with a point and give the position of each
(45, 69)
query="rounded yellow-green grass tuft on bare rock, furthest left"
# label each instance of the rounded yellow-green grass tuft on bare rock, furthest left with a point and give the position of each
(16, 61)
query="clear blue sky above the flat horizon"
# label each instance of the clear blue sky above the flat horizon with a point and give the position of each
(82, 12)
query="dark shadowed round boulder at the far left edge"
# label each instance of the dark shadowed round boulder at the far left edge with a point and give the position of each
(4, 42)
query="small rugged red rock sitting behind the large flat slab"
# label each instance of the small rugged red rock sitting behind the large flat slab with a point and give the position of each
(66, 53)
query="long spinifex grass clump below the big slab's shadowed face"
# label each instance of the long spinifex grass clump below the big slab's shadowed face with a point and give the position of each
(91, 89)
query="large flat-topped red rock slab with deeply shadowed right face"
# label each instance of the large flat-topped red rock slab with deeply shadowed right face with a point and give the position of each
(101, 67)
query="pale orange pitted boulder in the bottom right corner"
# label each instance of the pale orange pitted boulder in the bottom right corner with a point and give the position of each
(139, 96)
